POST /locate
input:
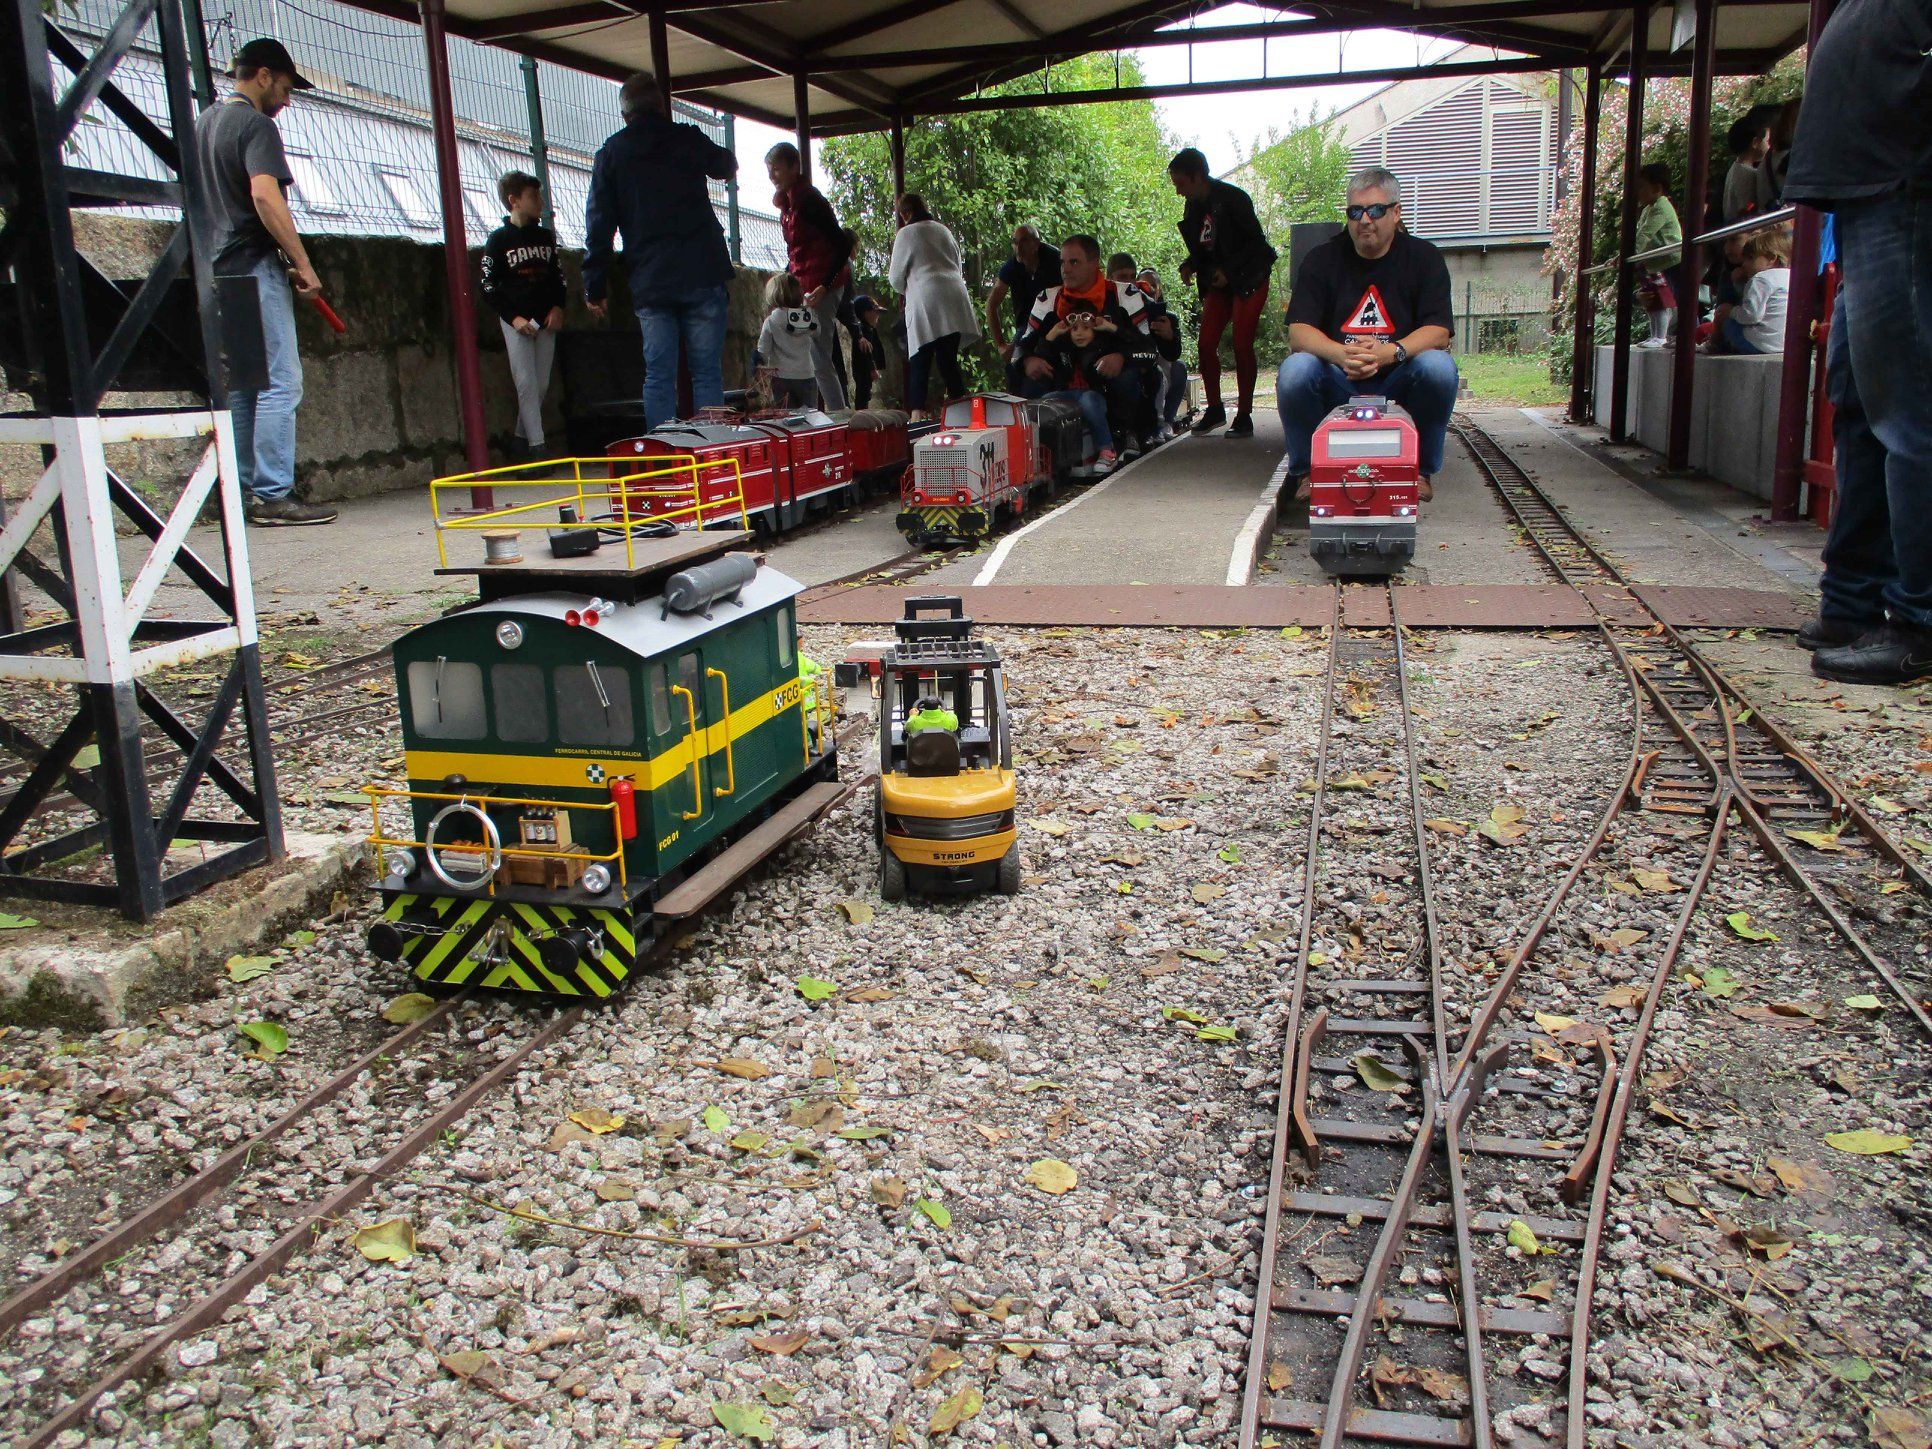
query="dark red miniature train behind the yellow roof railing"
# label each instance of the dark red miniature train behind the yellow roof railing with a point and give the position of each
(787, 465)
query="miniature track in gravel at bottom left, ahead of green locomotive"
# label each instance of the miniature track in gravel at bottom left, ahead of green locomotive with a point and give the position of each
(65, 1407)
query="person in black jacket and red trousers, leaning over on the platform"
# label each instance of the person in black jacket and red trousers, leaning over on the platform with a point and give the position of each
(1230, 260)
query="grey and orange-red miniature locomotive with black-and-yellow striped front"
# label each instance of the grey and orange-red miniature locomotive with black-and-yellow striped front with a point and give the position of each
(988, 463)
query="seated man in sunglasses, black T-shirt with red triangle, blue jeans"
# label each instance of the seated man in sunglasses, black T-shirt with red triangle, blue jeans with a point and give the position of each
(1369, 314)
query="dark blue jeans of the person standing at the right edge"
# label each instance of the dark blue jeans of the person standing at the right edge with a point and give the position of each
(1879, 555)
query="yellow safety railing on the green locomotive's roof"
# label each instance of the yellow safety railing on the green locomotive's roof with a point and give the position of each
(610, 494)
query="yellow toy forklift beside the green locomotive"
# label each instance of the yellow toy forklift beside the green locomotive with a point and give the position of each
(946, 760)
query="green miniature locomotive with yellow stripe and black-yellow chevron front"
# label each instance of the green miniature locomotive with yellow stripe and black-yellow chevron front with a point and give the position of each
(584, 770)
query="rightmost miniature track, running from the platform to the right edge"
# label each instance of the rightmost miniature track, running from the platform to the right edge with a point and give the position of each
(1850, 868)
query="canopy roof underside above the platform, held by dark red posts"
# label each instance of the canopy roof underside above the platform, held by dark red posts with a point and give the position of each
(867, 61)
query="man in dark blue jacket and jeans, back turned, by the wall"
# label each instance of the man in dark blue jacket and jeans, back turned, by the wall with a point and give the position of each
(648, 183)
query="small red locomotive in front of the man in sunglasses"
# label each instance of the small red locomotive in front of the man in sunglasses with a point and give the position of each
(1363, 490)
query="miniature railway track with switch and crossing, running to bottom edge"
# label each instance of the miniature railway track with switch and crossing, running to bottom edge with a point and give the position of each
(1388, 1303)
